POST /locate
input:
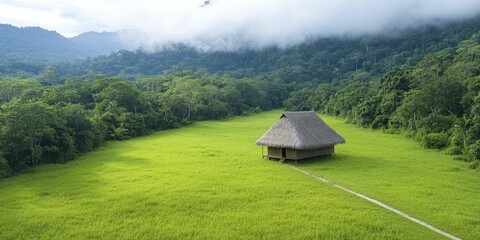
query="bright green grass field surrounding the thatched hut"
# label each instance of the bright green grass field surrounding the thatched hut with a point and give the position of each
(209, 181)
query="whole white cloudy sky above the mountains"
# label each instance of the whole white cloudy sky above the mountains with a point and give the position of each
(230, 24)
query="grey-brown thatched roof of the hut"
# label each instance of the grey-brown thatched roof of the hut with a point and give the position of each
(300, 130)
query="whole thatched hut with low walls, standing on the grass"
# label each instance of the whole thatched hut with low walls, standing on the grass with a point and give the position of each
(298, 135)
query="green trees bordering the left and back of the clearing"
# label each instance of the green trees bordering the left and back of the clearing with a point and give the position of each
(53, 124)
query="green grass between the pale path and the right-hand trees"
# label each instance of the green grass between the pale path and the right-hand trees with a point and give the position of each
(424, 183)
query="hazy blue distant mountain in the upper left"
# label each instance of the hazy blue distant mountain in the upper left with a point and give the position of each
(35, 43)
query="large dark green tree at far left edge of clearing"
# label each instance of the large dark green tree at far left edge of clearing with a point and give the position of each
(32, 133)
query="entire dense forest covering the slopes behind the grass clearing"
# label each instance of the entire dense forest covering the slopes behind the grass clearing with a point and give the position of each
(423, 83)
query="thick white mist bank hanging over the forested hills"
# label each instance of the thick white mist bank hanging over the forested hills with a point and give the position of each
(229, 25)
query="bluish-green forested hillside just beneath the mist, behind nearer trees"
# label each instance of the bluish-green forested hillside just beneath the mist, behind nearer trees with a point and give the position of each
(323, 60)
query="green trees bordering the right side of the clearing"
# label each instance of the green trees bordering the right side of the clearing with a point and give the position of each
(437, 102)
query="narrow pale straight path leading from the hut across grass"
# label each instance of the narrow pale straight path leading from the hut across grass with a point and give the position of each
(429, 226)
